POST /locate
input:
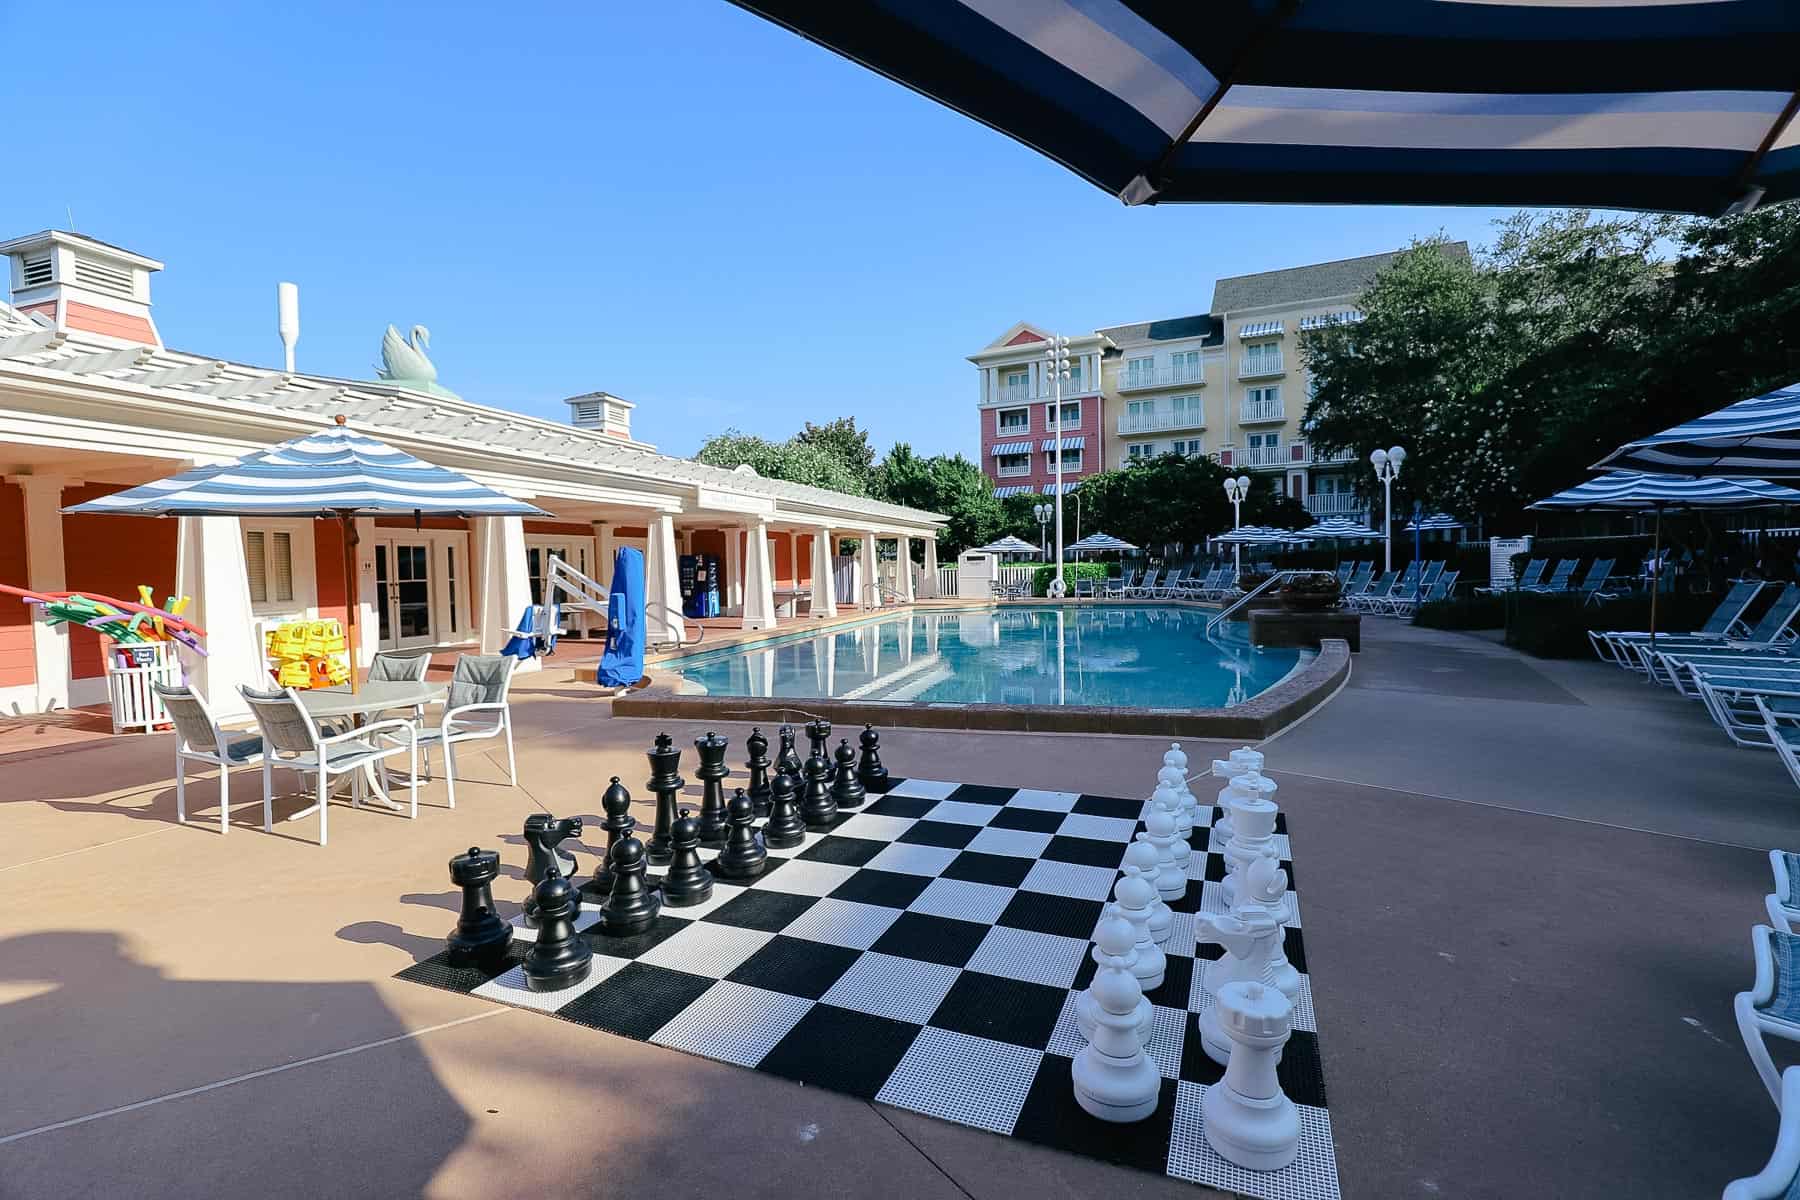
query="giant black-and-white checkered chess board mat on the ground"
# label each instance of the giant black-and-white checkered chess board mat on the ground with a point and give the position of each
(926, 954)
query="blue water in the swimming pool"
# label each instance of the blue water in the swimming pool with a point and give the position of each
(1115, 656)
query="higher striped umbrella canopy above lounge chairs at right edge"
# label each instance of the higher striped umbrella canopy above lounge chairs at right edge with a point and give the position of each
(1754, 438)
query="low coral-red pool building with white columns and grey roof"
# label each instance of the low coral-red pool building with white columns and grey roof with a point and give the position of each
(94, 402)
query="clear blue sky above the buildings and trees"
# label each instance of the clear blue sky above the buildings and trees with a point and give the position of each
(678, 202)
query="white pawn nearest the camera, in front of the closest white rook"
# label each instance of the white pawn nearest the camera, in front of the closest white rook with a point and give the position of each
(1113, 1077)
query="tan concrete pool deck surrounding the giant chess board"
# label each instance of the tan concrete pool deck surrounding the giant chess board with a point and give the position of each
(1529, 895)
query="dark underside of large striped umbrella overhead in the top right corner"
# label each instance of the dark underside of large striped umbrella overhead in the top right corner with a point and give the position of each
(1657, 105)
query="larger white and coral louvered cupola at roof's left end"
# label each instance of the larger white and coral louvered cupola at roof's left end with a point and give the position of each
(84, 285)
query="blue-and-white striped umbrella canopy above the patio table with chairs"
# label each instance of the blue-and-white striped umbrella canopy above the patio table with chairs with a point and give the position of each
(327, 474)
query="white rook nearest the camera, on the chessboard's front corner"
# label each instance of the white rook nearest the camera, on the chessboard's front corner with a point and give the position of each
(1246, 1116)
